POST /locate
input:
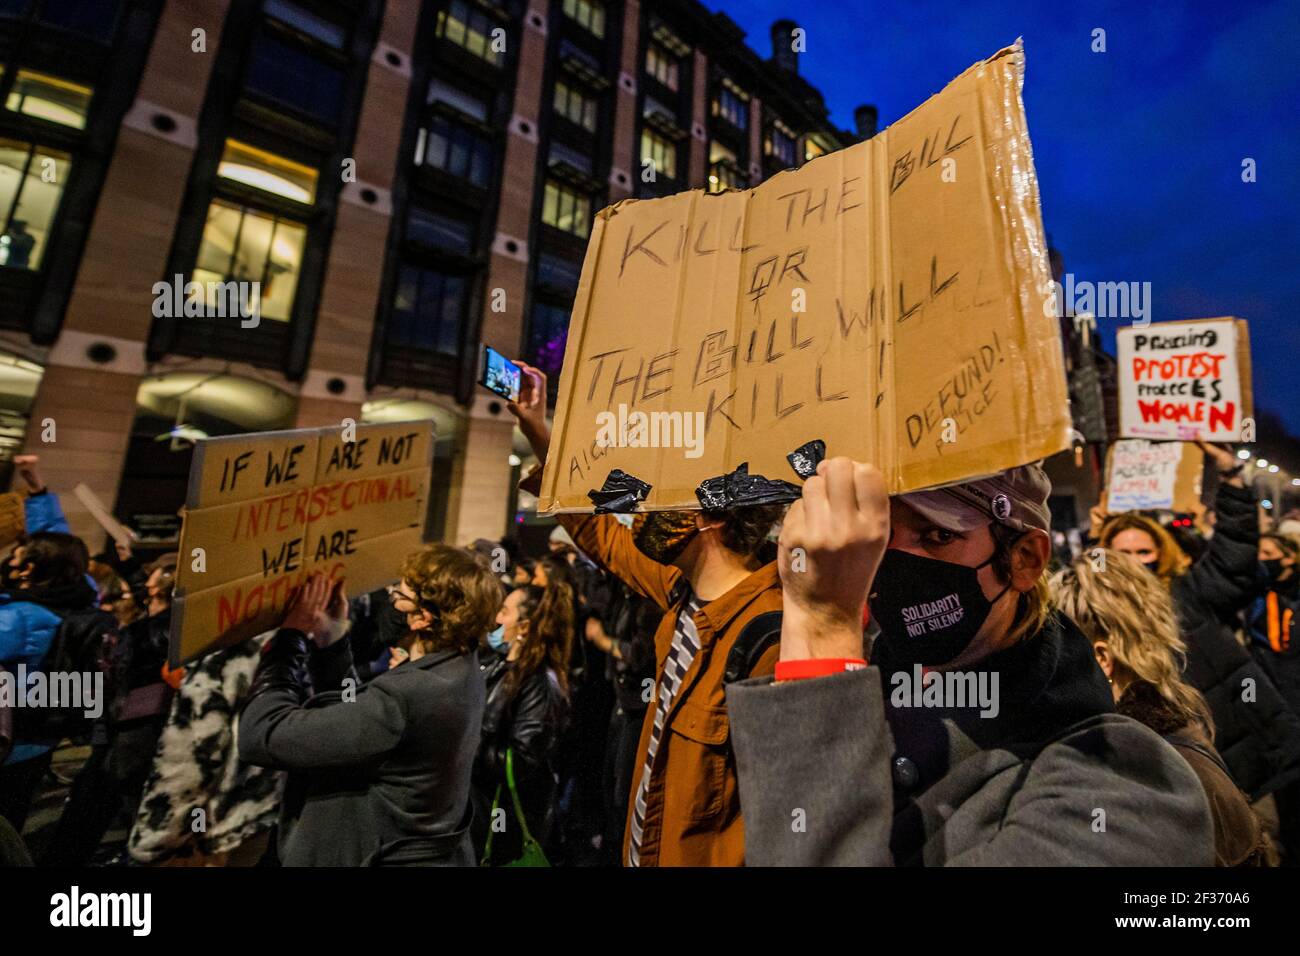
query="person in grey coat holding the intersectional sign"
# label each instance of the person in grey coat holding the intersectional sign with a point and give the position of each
(379, 775)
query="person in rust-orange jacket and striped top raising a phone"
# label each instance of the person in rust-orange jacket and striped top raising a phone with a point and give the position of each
(703, 569)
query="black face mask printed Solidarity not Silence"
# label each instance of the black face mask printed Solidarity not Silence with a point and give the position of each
(929, 611)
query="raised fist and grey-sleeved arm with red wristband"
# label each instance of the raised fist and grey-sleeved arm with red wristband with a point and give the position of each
(813, 756)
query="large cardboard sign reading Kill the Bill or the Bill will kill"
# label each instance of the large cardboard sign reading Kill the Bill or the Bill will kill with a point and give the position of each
(891, 300)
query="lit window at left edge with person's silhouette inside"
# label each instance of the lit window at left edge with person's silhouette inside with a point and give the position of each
(32, 185)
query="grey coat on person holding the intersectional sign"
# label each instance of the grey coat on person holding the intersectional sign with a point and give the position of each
(379, 777)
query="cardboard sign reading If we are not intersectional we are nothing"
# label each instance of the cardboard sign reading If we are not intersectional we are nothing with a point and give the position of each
(266, 511)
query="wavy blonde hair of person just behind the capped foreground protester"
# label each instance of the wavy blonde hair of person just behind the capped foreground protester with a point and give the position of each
(1117, 602)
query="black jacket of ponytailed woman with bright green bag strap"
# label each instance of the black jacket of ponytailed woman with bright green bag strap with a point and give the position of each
(527, 720)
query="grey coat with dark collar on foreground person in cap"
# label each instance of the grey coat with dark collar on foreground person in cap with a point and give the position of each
(834, 773)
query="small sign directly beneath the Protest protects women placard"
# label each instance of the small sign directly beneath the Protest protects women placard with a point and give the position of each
(1154, 477)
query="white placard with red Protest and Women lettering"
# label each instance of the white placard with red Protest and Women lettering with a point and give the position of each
(1181, 382)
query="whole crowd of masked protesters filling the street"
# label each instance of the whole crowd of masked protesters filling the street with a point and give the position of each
(850, 680)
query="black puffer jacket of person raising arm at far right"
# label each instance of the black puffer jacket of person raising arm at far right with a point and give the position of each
(1255, 732)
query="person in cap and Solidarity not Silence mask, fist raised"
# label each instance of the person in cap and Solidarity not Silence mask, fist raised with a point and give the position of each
(837, 768)
